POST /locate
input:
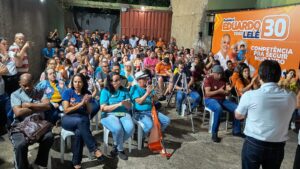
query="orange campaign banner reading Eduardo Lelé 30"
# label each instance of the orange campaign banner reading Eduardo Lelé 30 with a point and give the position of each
(272, 34)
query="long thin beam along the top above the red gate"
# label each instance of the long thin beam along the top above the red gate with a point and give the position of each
(108, 5)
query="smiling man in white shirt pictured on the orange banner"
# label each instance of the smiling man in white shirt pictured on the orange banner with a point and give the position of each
(222, 55)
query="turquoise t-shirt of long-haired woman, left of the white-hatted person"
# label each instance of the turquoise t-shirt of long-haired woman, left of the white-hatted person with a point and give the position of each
(108, 98)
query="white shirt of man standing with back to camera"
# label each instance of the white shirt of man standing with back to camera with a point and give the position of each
(269, 110)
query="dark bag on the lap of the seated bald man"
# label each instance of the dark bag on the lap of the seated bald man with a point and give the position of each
(33, 127)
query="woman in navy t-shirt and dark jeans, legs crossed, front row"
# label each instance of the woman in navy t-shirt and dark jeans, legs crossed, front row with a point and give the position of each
(77, 107)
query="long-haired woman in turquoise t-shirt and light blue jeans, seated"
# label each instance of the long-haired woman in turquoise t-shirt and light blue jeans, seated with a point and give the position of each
(115, 103)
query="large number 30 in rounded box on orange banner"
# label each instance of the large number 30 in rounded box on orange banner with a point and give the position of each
(275, 27)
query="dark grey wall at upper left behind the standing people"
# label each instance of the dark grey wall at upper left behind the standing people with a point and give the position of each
(33, 19)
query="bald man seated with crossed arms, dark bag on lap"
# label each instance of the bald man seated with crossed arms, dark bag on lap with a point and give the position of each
(26, 101)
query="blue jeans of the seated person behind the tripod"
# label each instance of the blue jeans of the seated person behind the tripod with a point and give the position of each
(180, 96)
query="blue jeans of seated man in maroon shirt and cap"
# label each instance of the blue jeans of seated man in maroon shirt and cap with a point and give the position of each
(217, 107)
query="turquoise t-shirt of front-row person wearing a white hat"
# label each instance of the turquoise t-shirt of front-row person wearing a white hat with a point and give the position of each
(136, 92)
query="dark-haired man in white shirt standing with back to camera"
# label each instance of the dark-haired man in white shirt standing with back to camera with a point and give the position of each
(269, 111)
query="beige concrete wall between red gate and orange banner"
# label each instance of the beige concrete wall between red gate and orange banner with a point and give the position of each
(188, 20)
